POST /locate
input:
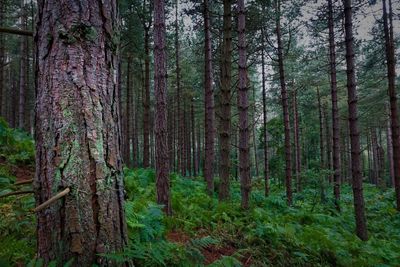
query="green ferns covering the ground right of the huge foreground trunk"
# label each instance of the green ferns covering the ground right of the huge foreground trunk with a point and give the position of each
(311, 233)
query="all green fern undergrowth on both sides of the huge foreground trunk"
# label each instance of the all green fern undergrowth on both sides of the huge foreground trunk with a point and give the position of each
(203, 231)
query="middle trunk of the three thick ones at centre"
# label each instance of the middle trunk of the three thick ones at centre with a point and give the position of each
(225, 103)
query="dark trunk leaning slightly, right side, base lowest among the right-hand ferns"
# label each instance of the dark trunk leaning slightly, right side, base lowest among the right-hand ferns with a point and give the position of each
(357, 183)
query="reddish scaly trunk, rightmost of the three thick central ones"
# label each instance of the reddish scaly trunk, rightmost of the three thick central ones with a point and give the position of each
(243, 106)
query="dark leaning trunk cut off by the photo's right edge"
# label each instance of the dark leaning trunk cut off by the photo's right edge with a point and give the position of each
(394, 117)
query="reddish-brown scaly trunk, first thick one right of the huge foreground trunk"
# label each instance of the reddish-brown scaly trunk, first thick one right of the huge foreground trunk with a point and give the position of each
(160, 90)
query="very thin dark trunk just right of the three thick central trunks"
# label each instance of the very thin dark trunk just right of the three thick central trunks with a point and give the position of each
(265, 136)
